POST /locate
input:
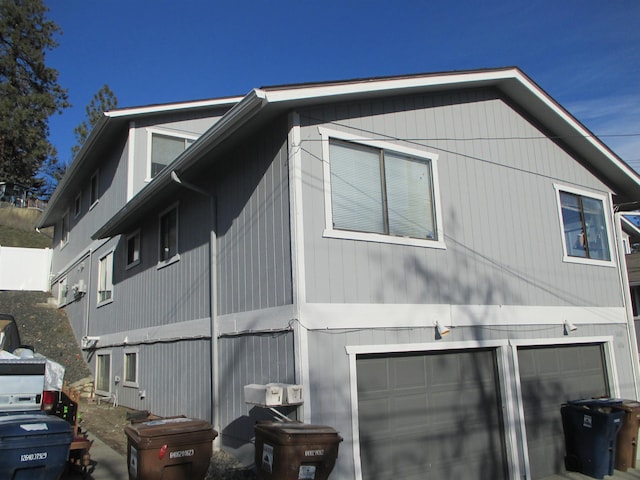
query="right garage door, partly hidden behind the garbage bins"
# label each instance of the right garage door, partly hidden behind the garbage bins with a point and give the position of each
(550, 376)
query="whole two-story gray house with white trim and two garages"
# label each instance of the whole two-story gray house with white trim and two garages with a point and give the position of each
(435, 259)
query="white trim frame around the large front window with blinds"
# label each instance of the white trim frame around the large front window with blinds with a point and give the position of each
(330, 232)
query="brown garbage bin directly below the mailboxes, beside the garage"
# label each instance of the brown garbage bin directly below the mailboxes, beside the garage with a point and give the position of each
(295, 451)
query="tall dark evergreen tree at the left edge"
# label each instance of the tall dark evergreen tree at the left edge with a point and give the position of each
(29, 91)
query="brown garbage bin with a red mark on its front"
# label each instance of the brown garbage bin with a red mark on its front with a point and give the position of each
(173, 448)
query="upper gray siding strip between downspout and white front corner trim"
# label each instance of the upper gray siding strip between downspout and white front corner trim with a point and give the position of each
(254, 259)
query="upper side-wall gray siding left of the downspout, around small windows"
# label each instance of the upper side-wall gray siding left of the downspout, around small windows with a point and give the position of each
(145, 295)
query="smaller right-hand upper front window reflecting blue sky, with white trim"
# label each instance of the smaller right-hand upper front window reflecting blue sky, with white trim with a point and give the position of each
(585, 226)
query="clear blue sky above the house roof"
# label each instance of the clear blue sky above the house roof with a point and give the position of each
(584, 53)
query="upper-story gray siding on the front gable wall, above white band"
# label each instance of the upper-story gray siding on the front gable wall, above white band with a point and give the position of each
(500, 217)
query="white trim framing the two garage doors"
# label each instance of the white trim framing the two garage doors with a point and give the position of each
(508, 368)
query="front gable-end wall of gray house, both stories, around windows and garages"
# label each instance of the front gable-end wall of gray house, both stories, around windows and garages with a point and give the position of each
(500, 277)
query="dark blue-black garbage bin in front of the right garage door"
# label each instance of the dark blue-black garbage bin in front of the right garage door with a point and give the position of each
(590, 429)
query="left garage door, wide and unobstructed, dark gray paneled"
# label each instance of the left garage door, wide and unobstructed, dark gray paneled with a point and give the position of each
(430, 415)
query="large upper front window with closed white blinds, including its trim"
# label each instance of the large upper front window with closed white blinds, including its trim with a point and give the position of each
(380, 192)
